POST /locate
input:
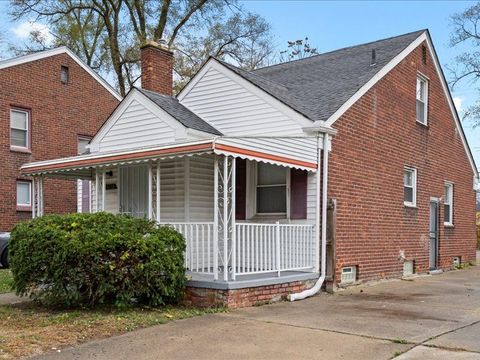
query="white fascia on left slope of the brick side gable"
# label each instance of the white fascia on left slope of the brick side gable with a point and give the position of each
(379, 75)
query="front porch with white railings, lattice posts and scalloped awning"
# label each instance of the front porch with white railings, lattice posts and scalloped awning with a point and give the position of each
(246, 220)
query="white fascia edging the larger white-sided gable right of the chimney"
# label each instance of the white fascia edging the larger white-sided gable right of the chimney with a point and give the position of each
(271, 100)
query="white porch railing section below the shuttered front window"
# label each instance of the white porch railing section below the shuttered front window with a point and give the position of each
(263, 248)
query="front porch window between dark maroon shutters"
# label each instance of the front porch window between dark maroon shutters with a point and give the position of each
(271, 189)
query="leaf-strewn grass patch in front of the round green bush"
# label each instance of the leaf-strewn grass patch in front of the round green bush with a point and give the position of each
(29, 329)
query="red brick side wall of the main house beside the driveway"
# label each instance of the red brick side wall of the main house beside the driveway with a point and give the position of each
(376, 138)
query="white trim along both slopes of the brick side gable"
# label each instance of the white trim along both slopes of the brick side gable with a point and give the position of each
(425, 36)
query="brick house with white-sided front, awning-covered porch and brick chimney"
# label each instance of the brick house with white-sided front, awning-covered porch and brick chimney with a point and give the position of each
(247, 164)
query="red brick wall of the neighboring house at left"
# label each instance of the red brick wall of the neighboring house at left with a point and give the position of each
(59, 114)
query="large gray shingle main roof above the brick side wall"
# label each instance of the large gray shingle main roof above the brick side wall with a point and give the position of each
(317, 86)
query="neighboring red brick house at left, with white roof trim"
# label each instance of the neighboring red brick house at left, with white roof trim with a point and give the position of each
(43, 116)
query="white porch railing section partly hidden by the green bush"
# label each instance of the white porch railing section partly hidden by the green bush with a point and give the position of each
(199, 253)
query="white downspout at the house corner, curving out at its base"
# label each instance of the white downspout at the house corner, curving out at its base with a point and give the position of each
(318, 285)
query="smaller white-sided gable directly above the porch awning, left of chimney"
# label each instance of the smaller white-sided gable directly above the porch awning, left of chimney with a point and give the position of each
(137, 123)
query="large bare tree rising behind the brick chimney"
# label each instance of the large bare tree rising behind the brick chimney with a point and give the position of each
(107, 34)
